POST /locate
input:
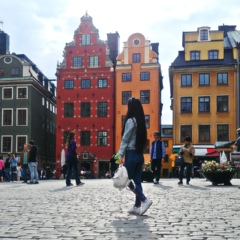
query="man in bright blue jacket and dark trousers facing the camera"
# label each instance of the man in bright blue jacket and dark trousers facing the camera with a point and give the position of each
(157, 154)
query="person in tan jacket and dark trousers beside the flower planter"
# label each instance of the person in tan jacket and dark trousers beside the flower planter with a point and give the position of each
(187, 152)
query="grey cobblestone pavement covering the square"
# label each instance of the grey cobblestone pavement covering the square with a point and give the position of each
(96, 210)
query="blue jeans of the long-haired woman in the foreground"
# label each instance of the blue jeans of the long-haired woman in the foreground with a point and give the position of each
(133, 163)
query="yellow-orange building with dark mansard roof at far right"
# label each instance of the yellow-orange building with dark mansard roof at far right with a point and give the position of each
(203, 80)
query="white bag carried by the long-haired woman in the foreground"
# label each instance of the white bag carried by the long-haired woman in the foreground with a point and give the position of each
(120, 178)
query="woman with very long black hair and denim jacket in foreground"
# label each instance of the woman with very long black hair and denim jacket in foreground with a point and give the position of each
(134, 138)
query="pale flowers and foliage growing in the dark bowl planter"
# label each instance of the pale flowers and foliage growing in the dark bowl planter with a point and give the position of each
(213, 166)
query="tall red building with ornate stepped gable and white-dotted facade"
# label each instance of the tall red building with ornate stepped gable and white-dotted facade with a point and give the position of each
(85, 97)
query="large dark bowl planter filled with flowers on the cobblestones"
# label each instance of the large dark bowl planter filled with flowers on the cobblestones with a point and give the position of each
(218, 173)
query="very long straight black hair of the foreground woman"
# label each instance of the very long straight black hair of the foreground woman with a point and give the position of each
(135, 110)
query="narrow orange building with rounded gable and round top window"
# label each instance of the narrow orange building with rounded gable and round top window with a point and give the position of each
(138, 74)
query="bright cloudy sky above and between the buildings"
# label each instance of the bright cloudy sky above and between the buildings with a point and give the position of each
(40, 29)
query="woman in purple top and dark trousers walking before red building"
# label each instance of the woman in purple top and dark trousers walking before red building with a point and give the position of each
(72, 162)
